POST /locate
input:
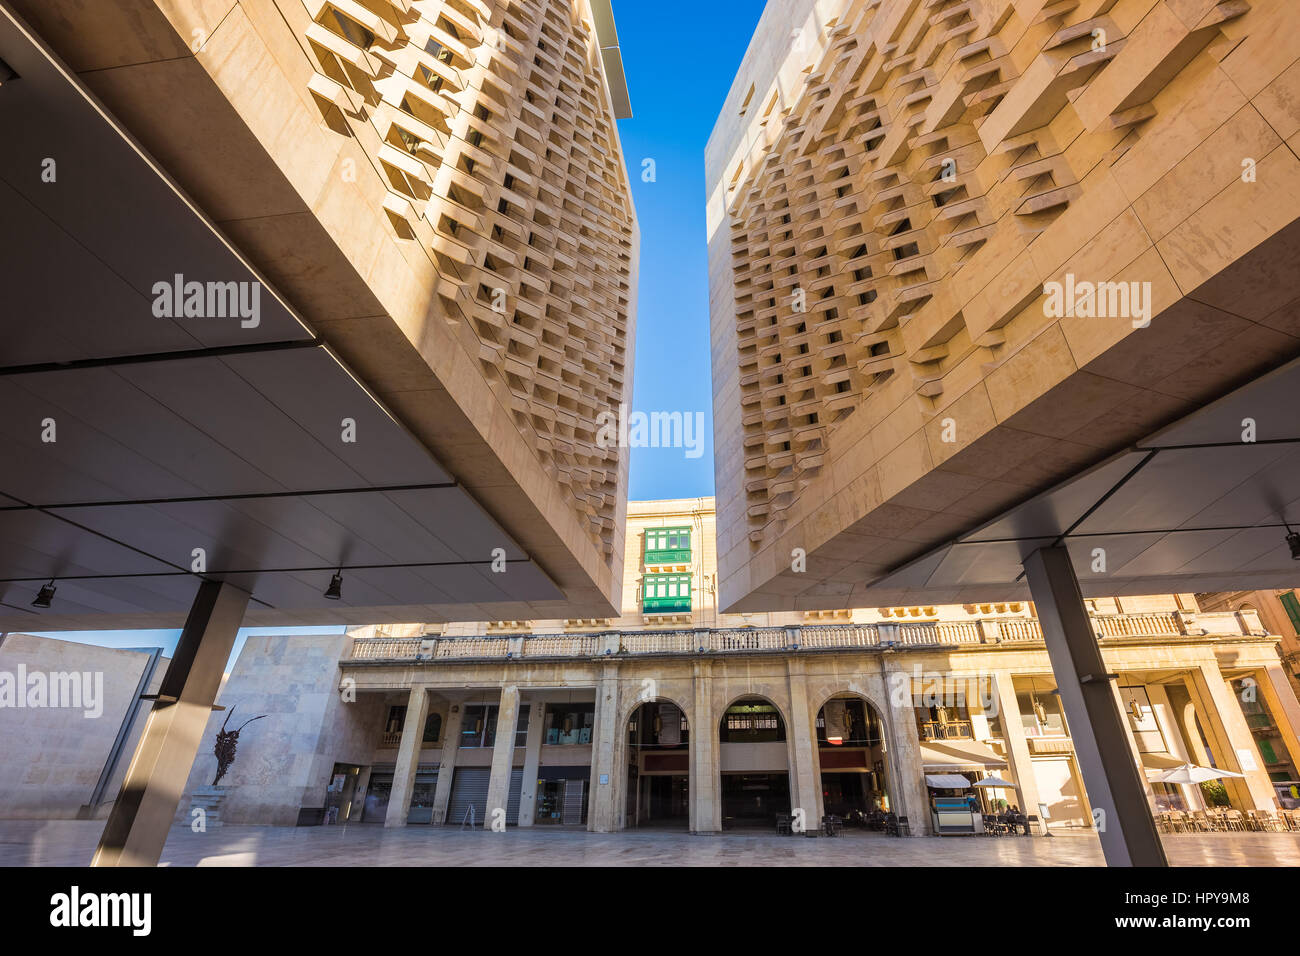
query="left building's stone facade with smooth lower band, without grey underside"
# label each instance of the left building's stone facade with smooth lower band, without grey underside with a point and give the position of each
(440, 192)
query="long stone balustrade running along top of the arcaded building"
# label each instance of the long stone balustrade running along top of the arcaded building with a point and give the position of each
(1111, 629)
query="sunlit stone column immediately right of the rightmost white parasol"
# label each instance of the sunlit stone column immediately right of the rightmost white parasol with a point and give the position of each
(1230, 738)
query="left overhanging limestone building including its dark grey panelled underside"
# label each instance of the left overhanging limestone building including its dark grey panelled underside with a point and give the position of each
(434, 202)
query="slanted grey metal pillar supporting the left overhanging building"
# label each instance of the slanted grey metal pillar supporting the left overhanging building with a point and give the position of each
(151, 790)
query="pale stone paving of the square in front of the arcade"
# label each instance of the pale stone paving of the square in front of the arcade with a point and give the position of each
(71, 843)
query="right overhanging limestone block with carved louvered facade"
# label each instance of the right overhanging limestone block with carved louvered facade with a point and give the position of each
(892, 184)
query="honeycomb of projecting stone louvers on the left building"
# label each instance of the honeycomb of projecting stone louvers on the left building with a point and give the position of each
(493, 132)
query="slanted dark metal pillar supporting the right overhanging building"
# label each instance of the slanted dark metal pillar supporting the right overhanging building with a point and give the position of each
(1098, 730)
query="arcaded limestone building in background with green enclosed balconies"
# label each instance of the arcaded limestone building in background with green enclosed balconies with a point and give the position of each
(674, 715)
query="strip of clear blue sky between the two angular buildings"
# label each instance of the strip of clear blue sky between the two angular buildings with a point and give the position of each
(678, 79)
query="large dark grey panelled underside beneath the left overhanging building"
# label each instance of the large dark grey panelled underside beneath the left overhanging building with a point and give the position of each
(133, 444)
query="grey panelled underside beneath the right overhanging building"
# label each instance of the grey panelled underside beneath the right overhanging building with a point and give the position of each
(1201, 505)
